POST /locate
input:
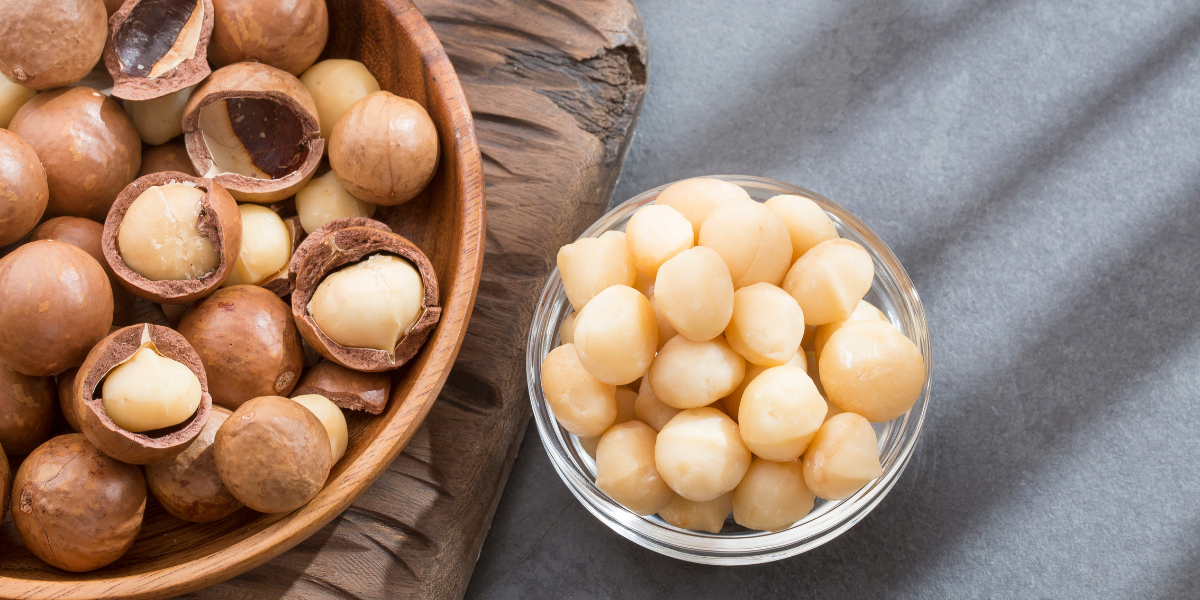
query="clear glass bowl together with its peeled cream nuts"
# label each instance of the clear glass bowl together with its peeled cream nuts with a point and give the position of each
(729, 370)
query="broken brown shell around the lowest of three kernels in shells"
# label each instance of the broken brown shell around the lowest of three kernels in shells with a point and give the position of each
(121, 350)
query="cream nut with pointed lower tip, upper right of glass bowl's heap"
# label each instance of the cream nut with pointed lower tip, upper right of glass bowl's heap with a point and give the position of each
(830, 280)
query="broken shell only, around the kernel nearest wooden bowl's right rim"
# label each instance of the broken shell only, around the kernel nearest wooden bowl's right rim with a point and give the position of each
(350, 245)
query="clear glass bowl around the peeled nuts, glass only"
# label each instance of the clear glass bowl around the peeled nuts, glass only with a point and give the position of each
(892, 292)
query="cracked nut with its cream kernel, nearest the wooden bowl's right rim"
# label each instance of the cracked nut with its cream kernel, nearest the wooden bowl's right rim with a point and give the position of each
(328, 260)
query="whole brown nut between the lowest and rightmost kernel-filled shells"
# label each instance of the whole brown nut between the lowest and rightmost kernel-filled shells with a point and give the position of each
(249, 345)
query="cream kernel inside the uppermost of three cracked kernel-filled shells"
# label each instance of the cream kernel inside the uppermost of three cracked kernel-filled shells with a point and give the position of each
(159, 239)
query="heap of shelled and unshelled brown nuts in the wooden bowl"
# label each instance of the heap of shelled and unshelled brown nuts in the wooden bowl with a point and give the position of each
(189, 172)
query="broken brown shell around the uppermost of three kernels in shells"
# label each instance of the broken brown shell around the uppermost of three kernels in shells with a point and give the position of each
(218, 221)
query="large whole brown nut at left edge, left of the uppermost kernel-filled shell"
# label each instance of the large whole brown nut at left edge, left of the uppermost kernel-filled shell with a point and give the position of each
(56, 304)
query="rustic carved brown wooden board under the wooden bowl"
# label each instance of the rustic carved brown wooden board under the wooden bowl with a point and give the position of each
(555, 88)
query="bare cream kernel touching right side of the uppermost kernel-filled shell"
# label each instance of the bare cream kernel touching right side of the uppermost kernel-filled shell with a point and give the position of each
(266, 248)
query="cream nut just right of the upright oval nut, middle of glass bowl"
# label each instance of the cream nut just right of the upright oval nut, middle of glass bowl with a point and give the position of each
(767, 326)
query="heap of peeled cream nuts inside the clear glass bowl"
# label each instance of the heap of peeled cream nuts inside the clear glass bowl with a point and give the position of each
(722, 359)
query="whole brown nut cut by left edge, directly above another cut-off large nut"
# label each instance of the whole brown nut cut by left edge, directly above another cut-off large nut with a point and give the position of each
(23, 188)
